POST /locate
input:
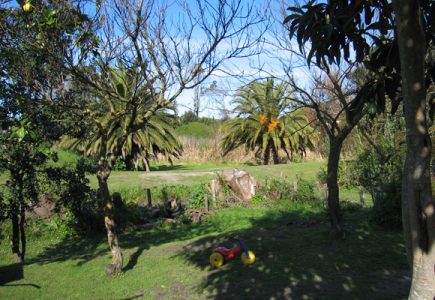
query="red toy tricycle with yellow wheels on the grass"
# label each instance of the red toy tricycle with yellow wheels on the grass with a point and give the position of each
(222, 255)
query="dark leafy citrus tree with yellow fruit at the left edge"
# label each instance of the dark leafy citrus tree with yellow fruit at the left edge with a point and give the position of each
(34, 39)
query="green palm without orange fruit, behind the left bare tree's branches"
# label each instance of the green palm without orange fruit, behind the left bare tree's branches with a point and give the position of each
(148, 142)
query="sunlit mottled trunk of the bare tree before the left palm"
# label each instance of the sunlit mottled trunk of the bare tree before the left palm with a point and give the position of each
(109, 222)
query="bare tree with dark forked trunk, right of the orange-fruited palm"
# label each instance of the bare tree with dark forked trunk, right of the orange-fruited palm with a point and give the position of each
(331, 93)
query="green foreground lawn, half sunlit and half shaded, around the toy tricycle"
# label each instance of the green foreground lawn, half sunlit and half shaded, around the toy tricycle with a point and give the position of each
(297, 258)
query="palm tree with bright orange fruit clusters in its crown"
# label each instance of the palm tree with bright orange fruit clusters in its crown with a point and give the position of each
(267, 121)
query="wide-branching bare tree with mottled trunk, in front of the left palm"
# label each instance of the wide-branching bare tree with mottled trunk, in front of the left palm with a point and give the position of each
(163, 48)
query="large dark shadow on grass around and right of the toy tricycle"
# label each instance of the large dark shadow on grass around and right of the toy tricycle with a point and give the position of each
(298, 259)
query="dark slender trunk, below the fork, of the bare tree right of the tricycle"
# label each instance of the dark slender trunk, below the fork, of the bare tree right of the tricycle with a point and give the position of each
(332, 184)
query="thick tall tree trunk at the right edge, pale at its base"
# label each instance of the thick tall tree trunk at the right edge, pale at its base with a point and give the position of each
(418, 206)
